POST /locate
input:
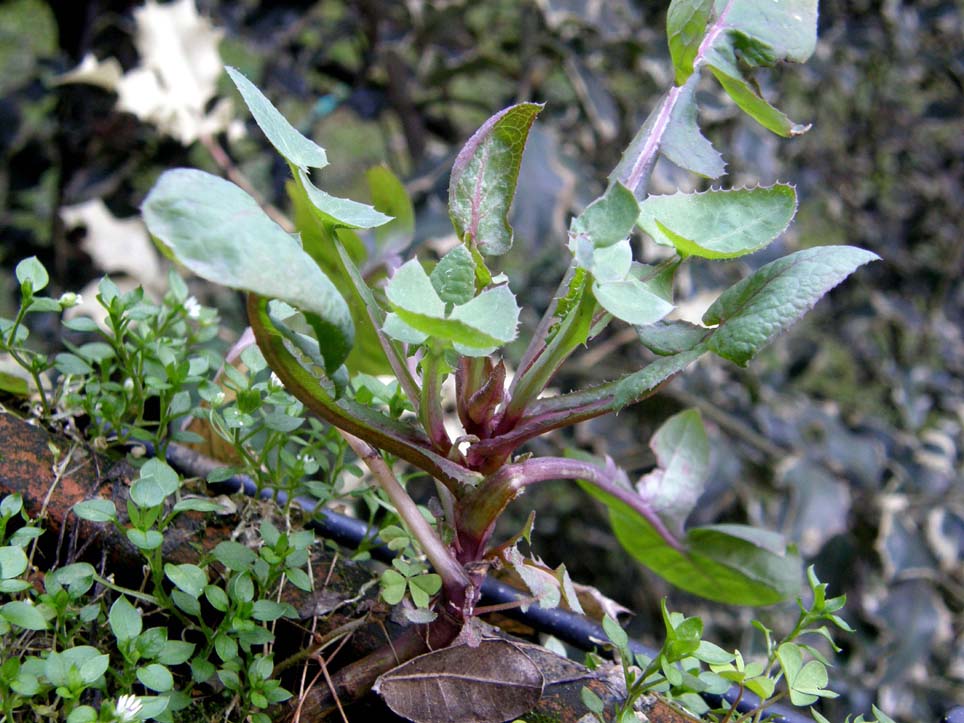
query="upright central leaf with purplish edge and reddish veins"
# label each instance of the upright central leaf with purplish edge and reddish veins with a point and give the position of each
(484, 179)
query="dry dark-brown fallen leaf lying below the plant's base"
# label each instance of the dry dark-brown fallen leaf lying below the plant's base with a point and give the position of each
(490, 683)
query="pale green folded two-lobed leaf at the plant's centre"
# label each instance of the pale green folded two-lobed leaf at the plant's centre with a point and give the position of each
(475, 328)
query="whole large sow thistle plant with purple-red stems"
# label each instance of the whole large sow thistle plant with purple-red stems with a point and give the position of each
(325, 305)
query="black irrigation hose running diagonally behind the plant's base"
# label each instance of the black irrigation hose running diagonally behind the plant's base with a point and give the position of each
(576, 630)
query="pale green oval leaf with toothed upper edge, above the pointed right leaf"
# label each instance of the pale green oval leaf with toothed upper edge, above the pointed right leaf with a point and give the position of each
(719, 224)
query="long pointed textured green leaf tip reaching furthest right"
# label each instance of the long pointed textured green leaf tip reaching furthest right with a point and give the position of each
(759, 307)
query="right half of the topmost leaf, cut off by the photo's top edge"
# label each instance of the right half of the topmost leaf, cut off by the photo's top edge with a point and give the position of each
(757, 33)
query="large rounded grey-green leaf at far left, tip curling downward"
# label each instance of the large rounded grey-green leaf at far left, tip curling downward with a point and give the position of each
(220, 233)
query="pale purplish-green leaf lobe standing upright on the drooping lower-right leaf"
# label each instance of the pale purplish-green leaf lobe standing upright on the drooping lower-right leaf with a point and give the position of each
(683, 455)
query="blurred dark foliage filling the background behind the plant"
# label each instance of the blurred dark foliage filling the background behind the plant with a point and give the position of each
(847, 434)
